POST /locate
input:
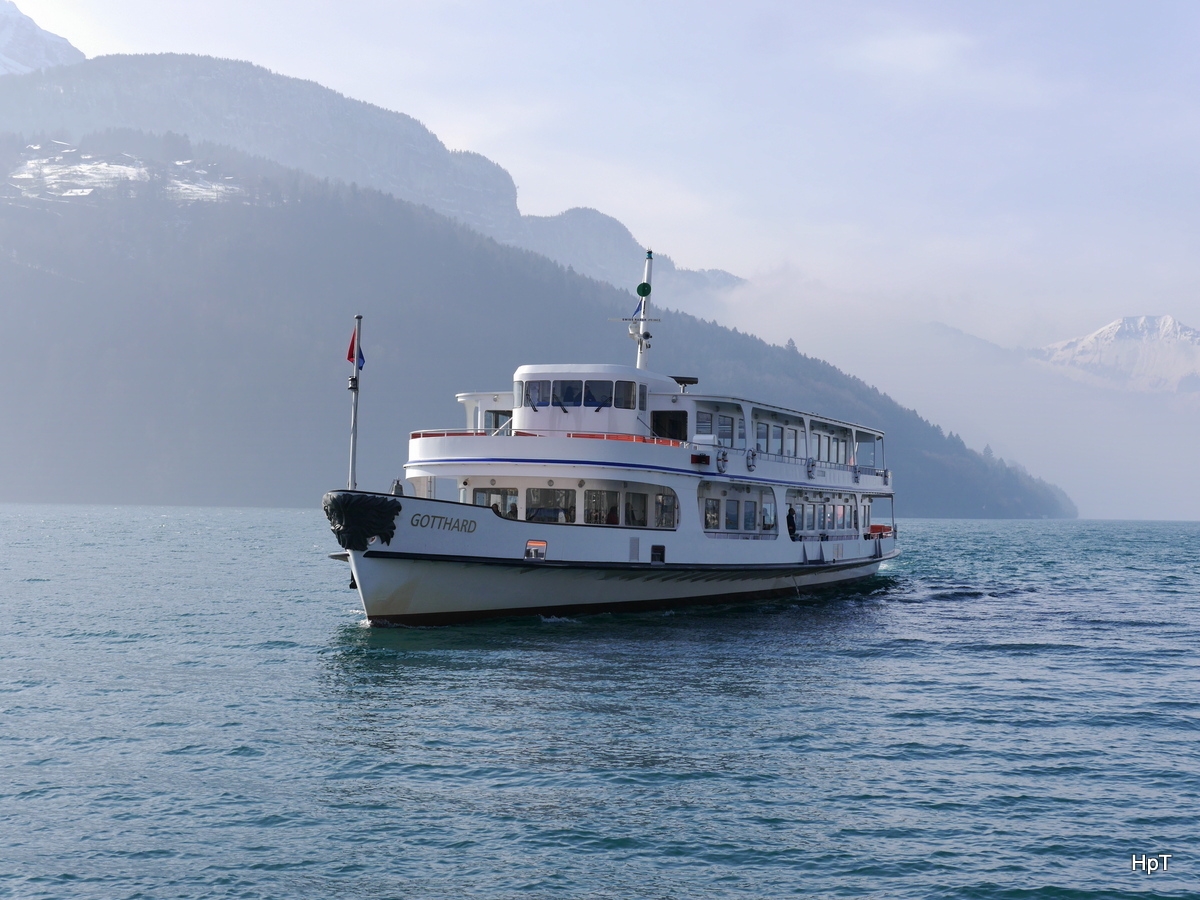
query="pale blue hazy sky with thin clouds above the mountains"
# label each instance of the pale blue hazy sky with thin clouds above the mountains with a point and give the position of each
(1022, 171)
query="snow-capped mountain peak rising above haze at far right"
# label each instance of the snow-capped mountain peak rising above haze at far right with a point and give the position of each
(1143, 353)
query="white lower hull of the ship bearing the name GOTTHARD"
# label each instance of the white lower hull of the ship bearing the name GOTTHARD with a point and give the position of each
(453, 562)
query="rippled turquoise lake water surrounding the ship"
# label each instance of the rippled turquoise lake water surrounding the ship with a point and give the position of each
(194, 709)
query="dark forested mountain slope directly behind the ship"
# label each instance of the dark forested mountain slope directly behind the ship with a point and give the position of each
(179, 335)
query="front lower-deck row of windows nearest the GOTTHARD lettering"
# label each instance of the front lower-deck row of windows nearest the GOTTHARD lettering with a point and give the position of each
(556, 506)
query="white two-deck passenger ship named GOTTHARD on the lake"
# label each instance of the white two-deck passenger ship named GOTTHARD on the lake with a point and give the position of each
(602, 488)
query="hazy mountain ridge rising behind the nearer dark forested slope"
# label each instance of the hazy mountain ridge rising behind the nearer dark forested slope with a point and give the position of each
(307, 127)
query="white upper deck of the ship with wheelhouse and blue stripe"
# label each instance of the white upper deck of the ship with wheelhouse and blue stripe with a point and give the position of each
(651, 421)
